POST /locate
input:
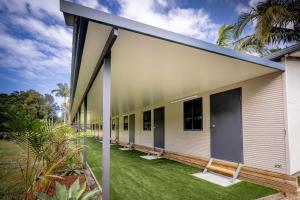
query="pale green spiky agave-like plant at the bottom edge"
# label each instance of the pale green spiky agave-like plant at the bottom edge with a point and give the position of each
(75, 192)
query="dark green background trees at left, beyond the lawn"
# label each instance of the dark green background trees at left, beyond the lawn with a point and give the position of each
(27, 106)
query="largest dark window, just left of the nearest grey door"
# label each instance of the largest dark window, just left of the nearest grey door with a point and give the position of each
(193, 115)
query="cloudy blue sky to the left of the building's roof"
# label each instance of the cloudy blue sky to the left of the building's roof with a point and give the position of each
(34, 42)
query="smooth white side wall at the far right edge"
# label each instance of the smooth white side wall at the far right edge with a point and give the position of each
(292, 81)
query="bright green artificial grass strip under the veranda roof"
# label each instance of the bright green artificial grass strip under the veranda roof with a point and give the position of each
(135, 178)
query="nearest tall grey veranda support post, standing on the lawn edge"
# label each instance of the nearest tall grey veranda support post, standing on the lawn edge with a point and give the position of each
(106, 126)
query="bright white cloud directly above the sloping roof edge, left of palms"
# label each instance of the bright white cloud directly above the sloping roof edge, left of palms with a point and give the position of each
(192, 22)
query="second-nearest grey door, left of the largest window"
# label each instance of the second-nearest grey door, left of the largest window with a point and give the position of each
(159, 127)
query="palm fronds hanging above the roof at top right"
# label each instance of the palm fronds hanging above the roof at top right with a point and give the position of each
(276, 21)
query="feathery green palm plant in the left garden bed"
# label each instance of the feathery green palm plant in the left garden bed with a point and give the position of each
(48, 147)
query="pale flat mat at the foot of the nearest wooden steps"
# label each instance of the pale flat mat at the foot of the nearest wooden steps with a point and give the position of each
(217, 179)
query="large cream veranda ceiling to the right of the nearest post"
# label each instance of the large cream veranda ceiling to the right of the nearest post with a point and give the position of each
(148, 71)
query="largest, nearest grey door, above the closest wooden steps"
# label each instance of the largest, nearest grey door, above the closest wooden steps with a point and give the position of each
(226, 126)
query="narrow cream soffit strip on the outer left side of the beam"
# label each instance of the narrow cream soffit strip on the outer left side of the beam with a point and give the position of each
(96, 37)
